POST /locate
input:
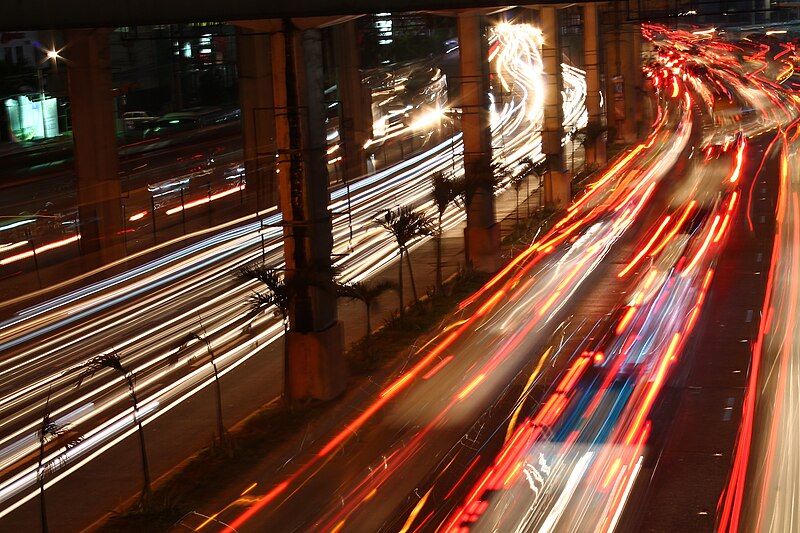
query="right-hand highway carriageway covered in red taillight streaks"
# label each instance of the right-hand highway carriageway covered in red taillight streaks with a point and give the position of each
(546, 381)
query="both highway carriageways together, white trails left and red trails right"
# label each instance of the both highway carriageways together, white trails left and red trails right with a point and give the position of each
(541, 405)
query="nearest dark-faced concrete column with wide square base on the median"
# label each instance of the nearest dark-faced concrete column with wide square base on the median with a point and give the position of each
(315, 367)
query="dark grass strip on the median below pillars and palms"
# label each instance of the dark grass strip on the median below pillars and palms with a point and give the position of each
(223, 464)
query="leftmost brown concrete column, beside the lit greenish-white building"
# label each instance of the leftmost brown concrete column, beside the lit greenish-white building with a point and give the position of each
(95, 145)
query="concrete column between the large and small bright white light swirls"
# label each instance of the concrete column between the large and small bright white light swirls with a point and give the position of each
(557, 193)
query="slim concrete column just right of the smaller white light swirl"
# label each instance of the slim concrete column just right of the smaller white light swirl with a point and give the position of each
(595, 146)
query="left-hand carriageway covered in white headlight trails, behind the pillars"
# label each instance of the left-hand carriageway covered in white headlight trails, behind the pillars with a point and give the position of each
(144, 315)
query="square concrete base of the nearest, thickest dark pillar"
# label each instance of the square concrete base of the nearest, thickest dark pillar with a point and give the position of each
(315, 364)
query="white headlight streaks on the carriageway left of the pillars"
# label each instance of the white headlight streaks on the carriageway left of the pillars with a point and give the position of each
(189, 267)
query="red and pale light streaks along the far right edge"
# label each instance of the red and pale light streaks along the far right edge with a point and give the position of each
(762, 488)
